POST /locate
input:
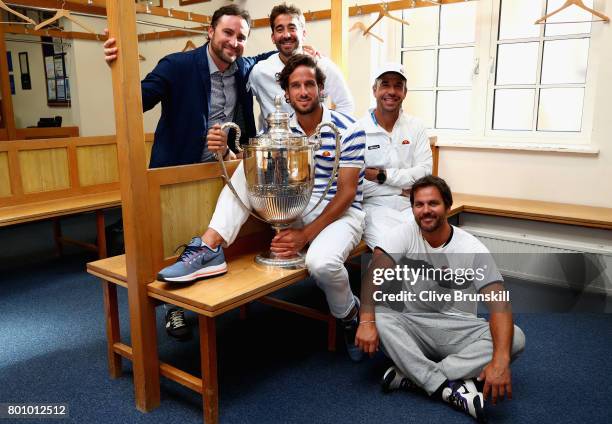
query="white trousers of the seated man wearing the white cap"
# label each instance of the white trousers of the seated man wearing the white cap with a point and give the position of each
(384, 216)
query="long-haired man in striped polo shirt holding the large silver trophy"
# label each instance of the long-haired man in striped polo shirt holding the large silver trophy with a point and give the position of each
(331, 231)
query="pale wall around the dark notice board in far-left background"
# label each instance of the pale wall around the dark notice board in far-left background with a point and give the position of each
(31, 105)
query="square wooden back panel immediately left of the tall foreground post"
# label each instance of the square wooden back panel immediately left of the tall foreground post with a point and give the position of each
(97, 164)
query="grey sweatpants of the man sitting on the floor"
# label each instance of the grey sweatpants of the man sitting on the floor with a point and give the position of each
(430, 348)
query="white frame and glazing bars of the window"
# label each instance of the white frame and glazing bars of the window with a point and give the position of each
(481, 132)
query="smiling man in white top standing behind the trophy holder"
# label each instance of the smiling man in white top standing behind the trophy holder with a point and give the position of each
(288, 32)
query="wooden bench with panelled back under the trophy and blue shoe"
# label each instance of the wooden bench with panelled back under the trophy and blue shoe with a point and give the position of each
(181, 203)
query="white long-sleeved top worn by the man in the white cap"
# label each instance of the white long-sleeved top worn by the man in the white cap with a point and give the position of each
(404, 153)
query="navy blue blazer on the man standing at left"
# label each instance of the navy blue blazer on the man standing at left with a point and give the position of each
(181, 81)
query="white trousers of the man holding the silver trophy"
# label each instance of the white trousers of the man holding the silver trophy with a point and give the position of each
(326, 254)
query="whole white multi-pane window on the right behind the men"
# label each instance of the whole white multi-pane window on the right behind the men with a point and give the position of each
(503, 77)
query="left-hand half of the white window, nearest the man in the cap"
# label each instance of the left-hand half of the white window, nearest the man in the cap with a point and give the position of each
(438, 49)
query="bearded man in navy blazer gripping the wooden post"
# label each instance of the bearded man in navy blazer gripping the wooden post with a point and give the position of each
(199, 90)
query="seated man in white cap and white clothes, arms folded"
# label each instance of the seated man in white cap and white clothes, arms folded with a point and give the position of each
(397, 154)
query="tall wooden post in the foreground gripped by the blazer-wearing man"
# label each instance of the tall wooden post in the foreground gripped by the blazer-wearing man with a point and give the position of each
(134, 197)
